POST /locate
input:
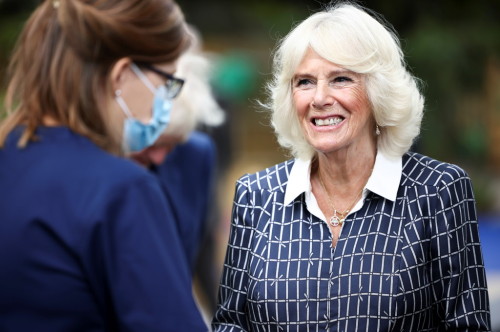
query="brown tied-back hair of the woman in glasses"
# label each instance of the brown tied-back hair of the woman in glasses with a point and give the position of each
(61, 64)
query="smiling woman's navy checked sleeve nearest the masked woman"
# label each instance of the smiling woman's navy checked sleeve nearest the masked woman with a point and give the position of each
(231, 308)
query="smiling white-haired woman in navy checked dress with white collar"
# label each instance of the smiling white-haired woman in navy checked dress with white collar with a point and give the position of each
(356, 233)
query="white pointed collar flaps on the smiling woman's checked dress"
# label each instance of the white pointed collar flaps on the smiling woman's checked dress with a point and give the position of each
(383, 181)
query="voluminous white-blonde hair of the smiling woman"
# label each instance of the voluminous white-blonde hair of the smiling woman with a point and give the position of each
(347, 35)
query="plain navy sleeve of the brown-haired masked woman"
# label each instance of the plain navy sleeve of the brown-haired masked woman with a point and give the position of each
(141, 262)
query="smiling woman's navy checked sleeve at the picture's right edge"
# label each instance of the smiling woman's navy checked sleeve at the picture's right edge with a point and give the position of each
(457, 268)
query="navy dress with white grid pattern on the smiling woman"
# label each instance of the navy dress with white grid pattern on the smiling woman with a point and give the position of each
(414, 264)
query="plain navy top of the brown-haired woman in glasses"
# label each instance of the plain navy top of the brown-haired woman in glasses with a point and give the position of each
(87, 242)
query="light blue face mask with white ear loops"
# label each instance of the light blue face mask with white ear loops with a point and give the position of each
(137, 135)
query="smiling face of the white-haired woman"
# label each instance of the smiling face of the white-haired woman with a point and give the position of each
(332, 106)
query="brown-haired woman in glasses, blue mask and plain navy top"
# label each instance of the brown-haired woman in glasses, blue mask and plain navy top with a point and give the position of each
(91, 243)
